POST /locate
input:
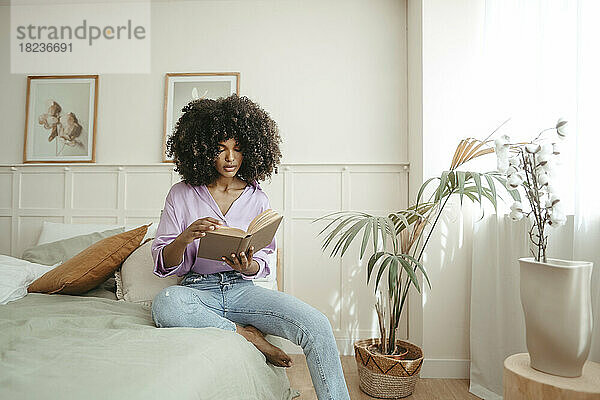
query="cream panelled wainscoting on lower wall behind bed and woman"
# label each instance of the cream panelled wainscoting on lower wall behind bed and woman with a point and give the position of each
(135, 194)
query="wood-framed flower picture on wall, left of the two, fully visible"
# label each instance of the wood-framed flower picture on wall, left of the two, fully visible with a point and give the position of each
(60, 119)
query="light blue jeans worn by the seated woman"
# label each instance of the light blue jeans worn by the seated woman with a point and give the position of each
(224, 298)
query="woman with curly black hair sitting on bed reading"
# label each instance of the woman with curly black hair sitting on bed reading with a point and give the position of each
(222, 148)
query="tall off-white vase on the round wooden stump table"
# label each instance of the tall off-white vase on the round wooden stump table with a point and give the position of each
(557, 304)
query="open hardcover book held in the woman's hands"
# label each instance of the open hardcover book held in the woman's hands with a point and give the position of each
(226, 240)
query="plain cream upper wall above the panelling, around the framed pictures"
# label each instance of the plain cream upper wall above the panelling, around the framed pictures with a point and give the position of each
(331, 73)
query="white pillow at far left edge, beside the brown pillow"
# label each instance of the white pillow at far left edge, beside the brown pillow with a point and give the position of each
(16, 275)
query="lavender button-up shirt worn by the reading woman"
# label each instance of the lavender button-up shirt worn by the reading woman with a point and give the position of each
(185, 204)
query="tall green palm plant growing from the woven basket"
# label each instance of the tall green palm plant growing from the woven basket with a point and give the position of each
(404, 230)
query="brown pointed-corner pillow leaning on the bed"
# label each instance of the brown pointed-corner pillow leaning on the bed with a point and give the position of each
(91, 267)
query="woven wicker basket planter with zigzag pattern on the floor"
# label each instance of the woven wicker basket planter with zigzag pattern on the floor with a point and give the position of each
(385, 377)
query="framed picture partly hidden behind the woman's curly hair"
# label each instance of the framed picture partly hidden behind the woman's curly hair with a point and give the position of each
(182, 88)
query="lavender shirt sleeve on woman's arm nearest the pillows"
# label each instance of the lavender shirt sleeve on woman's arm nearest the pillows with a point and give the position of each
(167, 231)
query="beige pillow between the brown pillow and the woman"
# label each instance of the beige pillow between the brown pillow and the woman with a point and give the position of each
(136, 281)
